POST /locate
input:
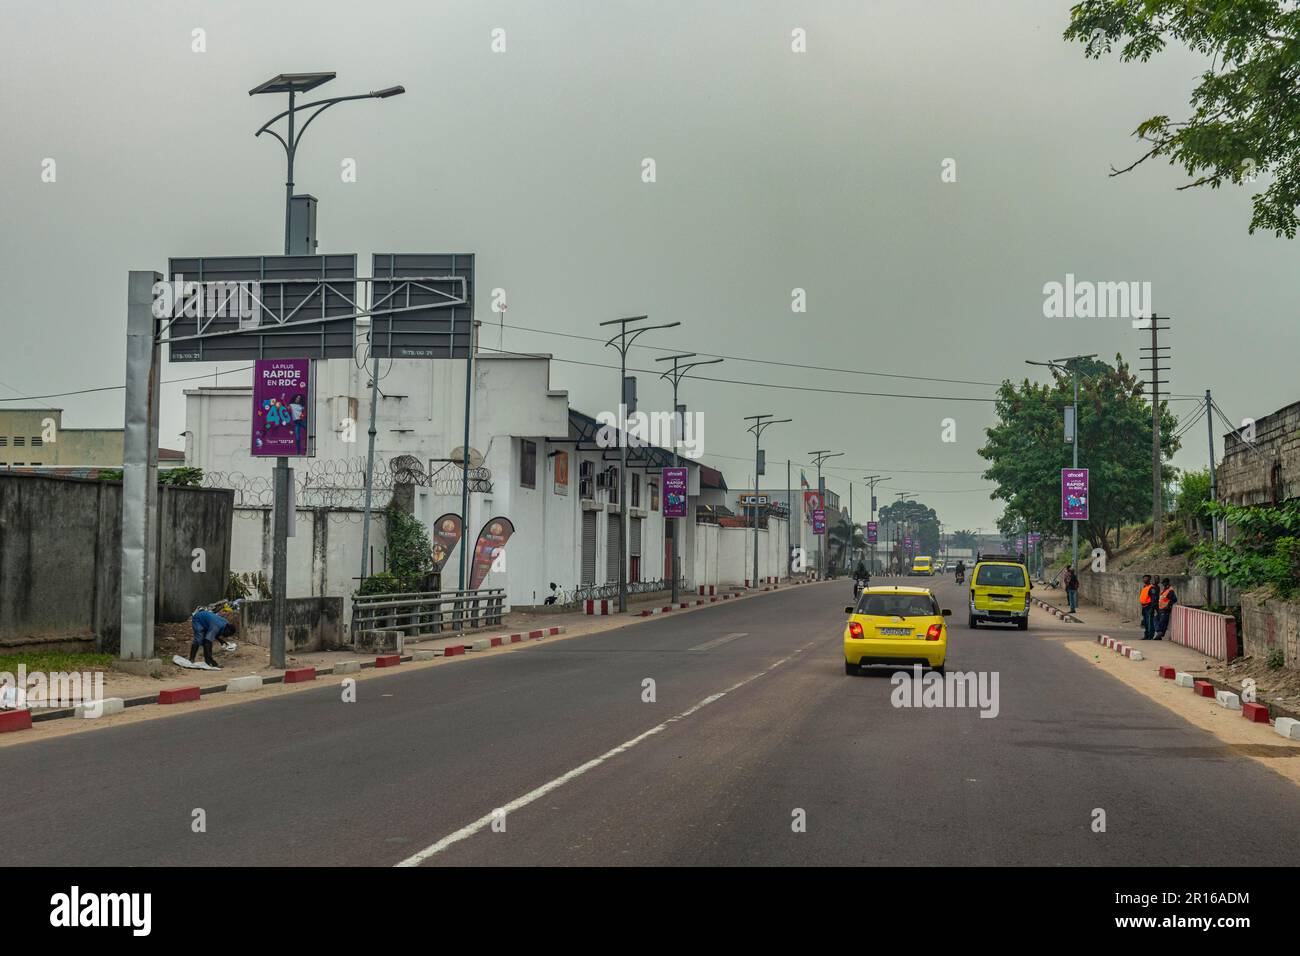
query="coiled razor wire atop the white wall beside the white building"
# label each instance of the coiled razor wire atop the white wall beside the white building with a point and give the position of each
(340, 483)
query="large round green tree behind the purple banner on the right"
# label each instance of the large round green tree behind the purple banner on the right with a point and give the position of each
(1026, 451)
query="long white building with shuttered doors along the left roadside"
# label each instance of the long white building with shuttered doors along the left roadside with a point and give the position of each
(543, 466)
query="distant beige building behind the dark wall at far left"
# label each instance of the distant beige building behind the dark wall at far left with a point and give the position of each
(37, 440)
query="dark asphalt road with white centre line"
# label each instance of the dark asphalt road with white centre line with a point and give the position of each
(753, 725)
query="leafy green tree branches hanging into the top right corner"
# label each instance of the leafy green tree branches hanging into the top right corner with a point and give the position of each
(1245, 111)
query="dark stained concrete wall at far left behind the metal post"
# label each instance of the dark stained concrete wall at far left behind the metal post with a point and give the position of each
(60, 557)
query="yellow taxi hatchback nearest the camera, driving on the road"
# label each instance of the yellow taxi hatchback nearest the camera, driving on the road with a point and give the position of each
(894, 625)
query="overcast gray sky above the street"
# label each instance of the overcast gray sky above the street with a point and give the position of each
(774, 171)
